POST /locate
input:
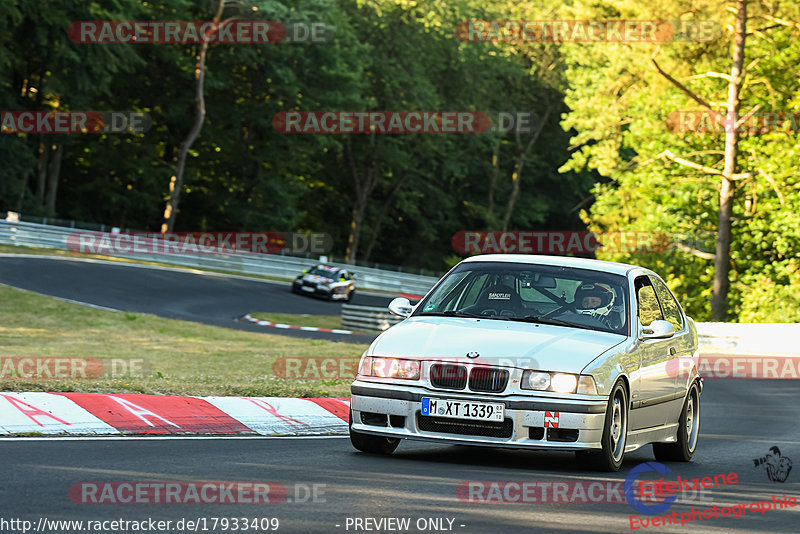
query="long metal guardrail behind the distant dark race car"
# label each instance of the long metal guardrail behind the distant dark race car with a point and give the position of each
(286, 267)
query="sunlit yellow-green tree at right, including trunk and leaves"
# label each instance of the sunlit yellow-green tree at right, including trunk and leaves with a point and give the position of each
(660, 177)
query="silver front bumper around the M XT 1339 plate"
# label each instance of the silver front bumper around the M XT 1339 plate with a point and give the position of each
(395, 411)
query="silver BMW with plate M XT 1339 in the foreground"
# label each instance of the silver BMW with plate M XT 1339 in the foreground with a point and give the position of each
(535, 352)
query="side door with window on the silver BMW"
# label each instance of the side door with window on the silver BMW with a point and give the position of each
(654, 384)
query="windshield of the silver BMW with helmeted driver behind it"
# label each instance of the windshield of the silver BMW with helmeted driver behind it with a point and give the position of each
(562, 296)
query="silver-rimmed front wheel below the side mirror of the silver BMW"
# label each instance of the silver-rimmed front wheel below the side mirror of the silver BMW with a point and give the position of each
(615, 434)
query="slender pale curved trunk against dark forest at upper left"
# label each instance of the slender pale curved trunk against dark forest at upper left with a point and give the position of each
(176, 181)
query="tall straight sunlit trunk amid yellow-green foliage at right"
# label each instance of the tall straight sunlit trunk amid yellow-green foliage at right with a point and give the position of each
(722, 259)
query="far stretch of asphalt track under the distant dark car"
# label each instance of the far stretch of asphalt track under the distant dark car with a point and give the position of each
(207, 298)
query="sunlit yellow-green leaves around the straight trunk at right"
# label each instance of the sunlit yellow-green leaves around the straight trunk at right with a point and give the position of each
(620, 106)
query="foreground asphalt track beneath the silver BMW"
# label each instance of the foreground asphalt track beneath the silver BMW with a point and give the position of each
(741, 420)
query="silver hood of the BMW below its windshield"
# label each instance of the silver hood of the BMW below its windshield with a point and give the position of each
(526, 345)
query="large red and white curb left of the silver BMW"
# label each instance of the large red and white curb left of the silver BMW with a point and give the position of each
(114, 414)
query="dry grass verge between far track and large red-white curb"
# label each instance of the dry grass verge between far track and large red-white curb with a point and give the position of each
(178, 357)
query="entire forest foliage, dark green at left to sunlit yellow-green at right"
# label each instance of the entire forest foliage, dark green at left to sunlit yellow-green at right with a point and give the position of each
(600, 162)
